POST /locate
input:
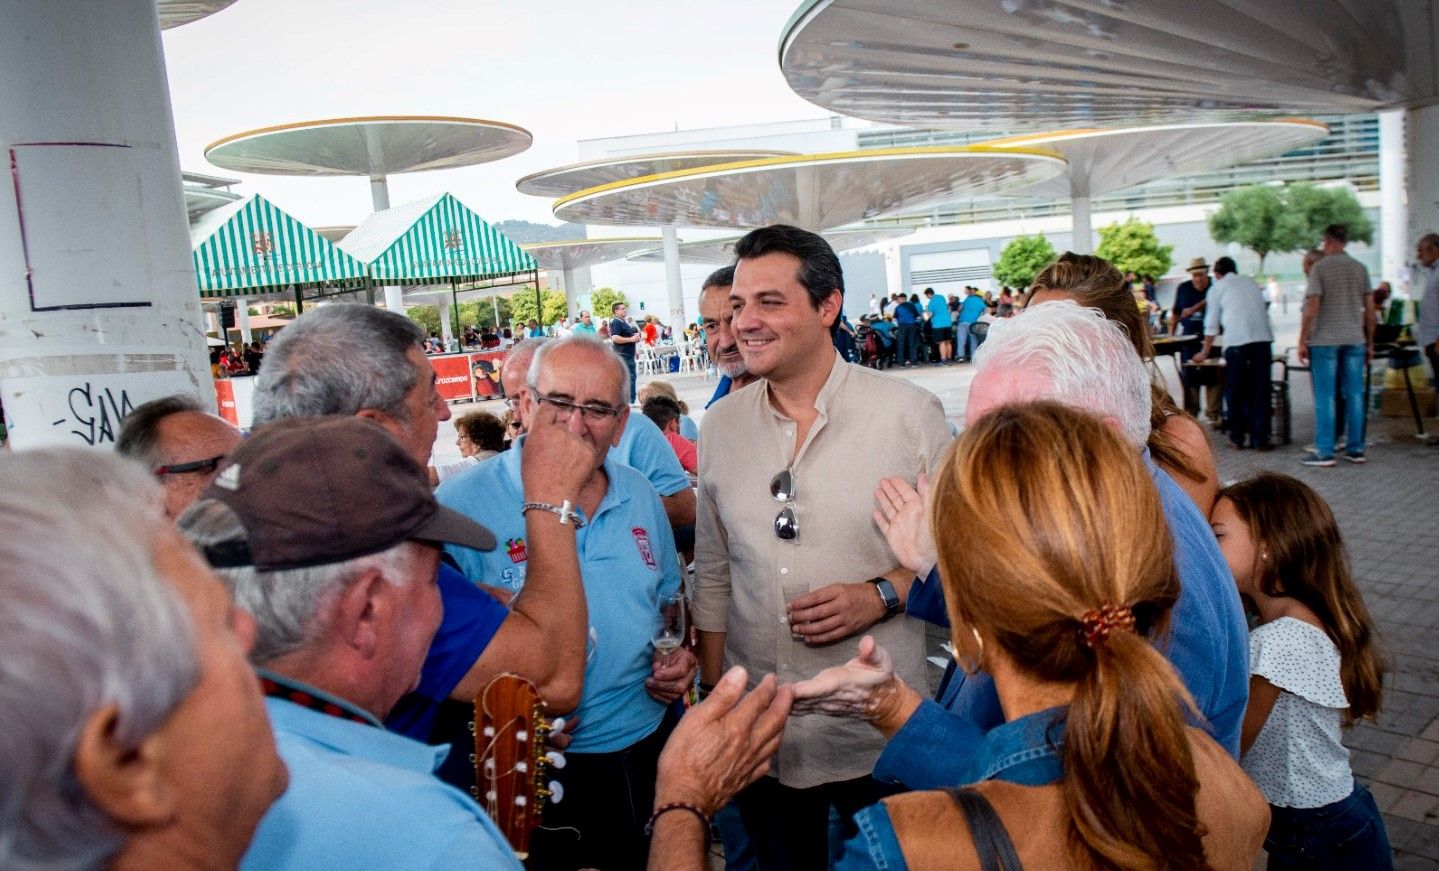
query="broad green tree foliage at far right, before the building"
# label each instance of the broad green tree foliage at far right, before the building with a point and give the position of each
(1267, 220)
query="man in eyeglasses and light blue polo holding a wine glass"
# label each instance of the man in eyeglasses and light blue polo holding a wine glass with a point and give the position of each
(627, 561)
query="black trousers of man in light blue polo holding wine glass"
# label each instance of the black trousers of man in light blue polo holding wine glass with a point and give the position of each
(608, 801)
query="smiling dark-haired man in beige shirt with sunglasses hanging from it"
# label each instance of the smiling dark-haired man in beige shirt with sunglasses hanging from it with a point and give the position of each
(789, 561)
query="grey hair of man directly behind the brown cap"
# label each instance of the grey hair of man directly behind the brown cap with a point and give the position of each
(337, 361)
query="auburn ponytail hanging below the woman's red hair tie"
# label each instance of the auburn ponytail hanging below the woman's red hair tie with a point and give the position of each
(1130, 781)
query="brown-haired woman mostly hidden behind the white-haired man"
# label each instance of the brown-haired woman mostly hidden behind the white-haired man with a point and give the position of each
(1178, 443)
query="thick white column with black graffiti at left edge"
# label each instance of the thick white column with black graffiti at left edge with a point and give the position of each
(99, 303)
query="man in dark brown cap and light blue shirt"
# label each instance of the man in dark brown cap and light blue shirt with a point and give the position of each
(342, 587)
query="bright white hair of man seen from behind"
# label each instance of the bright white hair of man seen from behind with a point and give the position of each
(1087, 359)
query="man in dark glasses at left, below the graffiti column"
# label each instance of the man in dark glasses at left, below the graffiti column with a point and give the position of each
(181, 444)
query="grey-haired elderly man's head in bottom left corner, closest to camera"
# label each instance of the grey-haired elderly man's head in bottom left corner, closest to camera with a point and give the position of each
(135, 729)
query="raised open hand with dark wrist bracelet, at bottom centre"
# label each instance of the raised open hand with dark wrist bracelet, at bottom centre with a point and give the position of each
(725, 744)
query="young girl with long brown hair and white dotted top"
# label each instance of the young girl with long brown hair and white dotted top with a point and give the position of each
(1315, 669)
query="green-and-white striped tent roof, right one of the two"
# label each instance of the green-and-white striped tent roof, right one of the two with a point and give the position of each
(434, 241)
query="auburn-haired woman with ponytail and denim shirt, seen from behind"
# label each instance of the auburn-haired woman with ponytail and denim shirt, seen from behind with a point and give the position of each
(1057, 590)
